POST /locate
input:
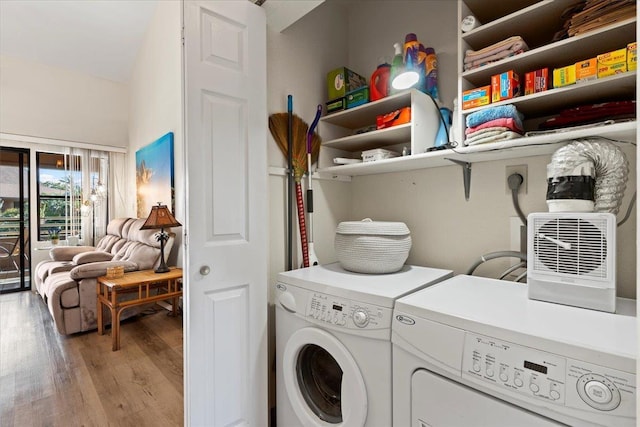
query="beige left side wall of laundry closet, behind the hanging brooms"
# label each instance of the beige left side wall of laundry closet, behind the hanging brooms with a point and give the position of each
(297, 62)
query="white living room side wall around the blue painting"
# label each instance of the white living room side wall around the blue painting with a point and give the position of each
(156, 103)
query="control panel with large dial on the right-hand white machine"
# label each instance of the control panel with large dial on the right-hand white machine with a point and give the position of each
(548, 377)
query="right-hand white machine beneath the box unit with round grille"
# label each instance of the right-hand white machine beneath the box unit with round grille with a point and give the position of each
(475, 351)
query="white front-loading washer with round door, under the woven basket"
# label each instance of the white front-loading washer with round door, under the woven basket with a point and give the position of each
(333, 344)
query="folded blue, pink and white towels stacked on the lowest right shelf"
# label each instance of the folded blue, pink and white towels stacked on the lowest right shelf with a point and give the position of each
(493, 124)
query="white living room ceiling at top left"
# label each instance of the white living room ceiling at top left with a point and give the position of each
(97, 37)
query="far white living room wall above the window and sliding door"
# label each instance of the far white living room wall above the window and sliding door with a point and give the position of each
(56, 103)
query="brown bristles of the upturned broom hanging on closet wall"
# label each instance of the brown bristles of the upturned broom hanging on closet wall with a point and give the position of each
(278, 125)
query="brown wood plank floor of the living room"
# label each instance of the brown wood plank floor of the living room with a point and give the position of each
(47, 379)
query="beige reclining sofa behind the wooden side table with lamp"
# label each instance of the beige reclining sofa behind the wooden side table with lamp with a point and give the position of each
(67, 282)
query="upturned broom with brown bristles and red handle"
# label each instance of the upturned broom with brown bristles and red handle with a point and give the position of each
(278, 124)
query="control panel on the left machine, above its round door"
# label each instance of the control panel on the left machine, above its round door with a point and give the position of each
(346, 313)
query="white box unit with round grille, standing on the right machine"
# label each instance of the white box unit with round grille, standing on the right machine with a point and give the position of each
(571, 259)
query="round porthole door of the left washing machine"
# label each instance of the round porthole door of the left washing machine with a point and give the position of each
(323, 381)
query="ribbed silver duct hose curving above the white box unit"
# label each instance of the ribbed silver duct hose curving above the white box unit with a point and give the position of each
(596, 156)
